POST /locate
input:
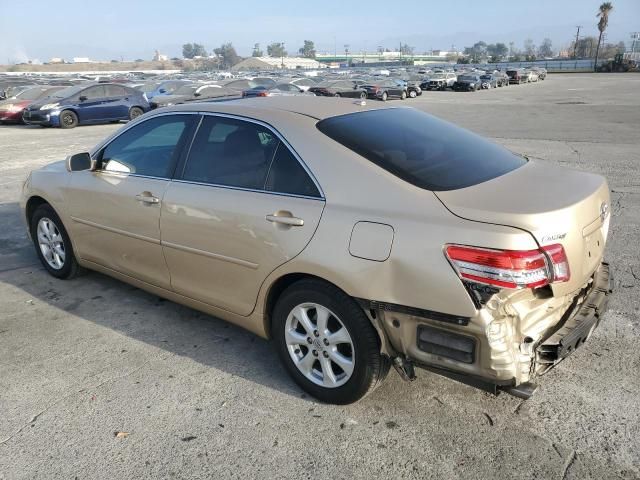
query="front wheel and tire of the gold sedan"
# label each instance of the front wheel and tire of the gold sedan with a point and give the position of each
(52, 243)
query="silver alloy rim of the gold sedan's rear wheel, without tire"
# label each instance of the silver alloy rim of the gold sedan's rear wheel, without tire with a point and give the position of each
(319, 345)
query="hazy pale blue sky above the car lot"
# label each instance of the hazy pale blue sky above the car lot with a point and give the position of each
(111, 29)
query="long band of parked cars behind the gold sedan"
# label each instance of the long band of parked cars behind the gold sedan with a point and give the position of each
(69, 102)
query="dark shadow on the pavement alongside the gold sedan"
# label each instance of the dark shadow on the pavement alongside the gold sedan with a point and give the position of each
(139, 315)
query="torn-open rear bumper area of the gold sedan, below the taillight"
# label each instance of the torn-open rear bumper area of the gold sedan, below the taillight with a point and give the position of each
(459, 348)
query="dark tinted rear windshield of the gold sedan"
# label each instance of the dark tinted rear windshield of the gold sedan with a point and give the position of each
(421, 149)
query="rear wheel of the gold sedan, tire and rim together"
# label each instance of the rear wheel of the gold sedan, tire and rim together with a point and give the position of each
(326, 343)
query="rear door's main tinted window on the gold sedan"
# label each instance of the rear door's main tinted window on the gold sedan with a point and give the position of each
(230, 152)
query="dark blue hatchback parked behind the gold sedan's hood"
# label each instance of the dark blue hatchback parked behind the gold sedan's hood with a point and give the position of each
(87, 104)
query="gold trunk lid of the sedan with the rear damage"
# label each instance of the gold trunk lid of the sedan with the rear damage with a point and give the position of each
(554, 204)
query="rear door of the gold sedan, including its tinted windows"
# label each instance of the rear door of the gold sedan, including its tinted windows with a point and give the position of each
(242, 205)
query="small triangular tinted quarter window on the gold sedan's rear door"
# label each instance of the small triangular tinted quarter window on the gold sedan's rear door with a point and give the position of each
(288, 176)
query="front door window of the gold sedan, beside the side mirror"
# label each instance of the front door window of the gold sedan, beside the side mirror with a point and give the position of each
(149, 148)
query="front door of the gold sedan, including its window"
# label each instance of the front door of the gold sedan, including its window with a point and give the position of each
(116, 208)
